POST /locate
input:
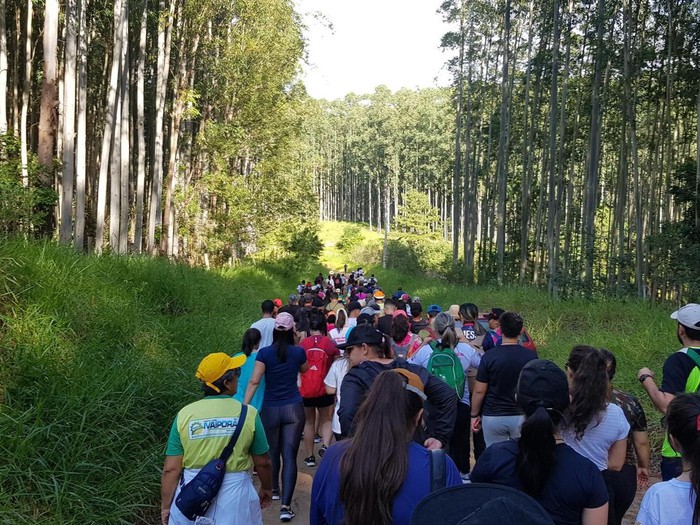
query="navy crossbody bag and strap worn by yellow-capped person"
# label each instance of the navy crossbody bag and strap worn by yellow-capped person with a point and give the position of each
(197, 496)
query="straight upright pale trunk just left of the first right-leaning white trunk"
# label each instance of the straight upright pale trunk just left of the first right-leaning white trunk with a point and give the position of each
(81, 138)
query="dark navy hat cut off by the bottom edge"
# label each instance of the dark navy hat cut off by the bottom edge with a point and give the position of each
(479, 504)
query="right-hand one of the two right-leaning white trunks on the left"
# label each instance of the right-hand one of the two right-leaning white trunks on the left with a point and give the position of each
(163, 70)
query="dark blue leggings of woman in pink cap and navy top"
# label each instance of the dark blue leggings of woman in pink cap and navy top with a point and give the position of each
(283, 428)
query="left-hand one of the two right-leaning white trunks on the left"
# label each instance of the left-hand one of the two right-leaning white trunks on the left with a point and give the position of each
(110, 121)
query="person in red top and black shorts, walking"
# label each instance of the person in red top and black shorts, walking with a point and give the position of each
(321, 351)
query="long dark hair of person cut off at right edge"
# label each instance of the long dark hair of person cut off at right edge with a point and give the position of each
(683, 419)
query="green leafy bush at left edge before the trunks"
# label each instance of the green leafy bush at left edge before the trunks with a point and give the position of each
(22, 208)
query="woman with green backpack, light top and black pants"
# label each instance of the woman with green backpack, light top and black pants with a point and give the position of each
(450, 359)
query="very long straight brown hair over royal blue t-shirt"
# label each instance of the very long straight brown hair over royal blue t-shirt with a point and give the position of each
(375, 464)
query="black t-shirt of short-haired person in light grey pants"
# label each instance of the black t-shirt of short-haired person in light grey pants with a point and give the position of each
(500, 369)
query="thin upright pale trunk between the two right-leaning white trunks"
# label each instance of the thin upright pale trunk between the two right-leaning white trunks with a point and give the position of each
(140, 129)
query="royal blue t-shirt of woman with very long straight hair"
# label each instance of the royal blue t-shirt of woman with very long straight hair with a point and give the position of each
(326, 507)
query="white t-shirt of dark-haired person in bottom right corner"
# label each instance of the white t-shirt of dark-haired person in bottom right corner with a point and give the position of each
(667, 503)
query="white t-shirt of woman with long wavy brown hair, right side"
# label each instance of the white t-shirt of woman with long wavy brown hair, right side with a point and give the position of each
(601, 434)
